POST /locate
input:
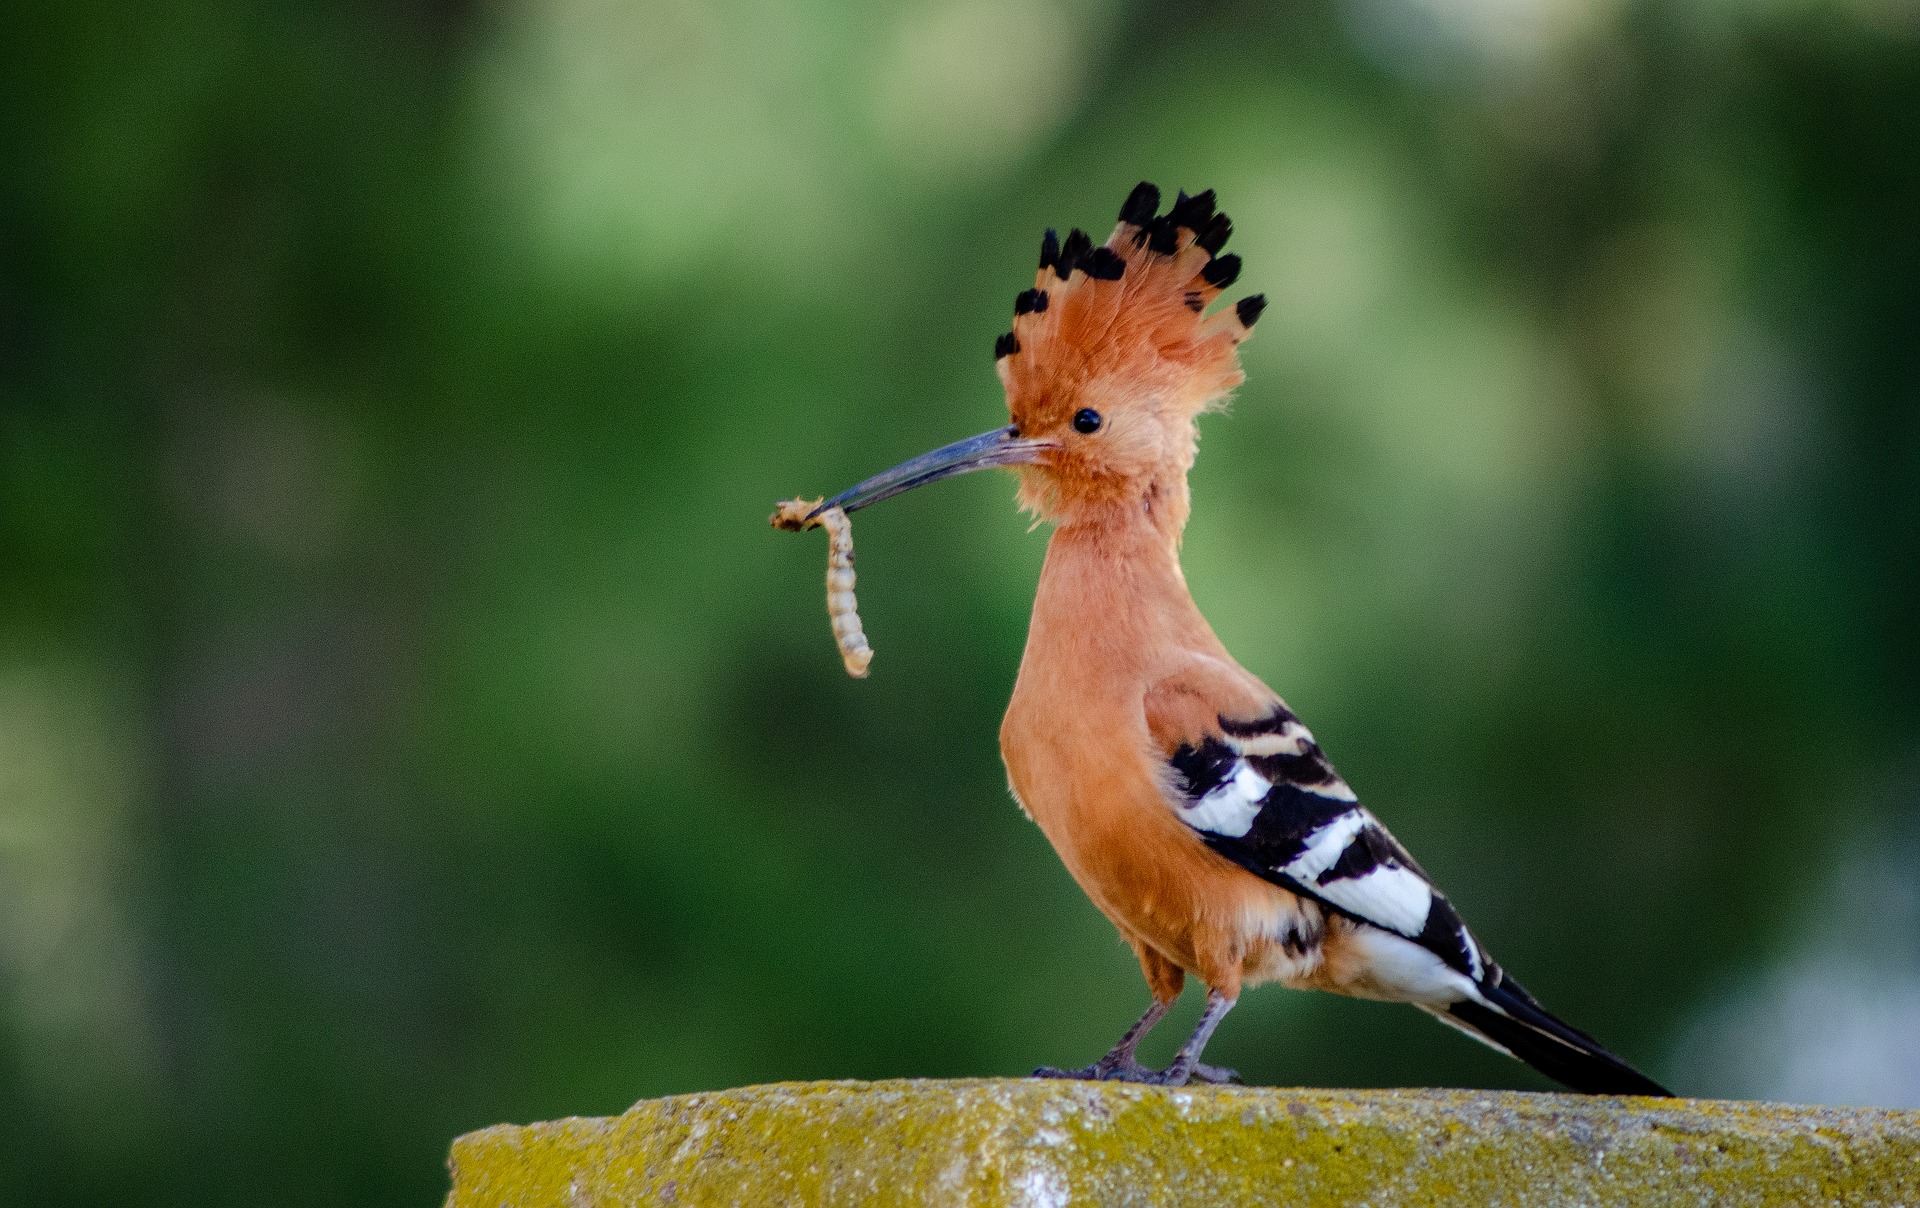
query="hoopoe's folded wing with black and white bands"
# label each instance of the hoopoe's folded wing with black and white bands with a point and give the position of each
(1262, 794)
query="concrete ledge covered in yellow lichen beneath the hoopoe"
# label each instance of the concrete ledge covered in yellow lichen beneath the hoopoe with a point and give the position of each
(1049, 1144)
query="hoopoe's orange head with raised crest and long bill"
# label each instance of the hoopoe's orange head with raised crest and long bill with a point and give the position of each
(1111, 360)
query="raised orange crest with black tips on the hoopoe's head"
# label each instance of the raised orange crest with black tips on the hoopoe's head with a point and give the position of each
(1130, 314)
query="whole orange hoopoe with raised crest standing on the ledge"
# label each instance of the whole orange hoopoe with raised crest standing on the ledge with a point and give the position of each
(1184, 796)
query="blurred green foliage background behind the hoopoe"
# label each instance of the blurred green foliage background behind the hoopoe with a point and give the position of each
(410, 723)
